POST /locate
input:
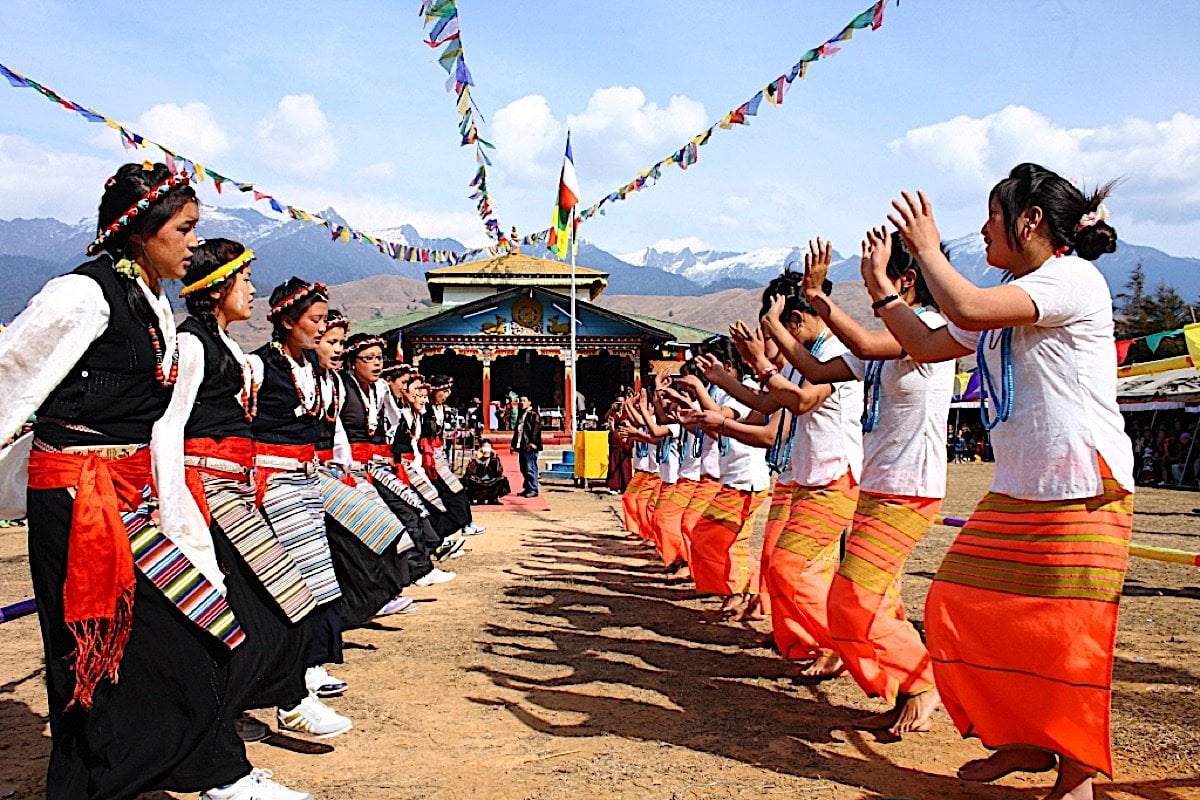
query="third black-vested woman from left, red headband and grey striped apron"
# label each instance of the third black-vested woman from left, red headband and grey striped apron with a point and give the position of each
(286, 430)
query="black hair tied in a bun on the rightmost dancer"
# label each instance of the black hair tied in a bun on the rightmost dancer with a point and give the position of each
(1064, 207)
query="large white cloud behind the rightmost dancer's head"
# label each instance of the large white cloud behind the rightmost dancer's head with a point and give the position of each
(1159, 161)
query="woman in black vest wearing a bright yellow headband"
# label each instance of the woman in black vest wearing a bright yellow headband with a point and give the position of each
(205, 459)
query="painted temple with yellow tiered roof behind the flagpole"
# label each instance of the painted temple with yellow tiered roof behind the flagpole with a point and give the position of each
(502, 328)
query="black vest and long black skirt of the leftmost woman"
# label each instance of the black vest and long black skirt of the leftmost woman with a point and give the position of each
(169, 723)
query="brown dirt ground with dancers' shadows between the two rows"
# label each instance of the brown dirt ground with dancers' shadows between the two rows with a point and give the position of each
(561, 666)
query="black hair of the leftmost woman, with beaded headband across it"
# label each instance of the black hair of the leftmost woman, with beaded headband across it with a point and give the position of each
(125, 189)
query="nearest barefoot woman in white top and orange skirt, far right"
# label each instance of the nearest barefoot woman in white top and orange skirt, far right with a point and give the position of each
(1022, 617)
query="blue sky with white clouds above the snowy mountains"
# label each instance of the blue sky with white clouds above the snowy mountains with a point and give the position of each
(341, 105)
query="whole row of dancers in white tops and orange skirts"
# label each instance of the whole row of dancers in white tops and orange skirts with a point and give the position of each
(1021, 621)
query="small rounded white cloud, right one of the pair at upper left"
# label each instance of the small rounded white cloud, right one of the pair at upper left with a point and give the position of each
(298, 137)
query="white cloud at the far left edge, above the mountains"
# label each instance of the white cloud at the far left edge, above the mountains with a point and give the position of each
(40, 183)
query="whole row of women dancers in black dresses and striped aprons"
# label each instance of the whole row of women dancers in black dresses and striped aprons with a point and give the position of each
(205, 524)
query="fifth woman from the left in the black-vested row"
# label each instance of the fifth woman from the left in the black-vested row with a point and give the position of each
(367, 539)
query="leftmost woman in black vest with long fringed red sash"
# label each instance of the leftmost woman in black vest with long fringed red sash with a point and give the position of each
(95, 357)
